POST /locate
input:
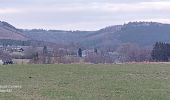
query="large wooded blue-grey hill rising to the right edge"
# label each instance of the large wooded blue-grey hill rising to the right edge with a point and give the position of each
(140, 33)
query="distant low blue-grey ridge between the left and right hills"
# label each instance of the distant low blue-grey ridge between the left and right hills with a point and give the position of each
(56, 36)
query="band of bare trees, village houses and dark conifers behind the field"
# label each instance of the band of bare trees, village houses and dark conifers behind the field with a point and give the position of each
(53, 54)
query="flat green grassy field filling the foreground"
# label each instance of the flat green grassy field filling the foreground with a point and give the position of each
(86, 82)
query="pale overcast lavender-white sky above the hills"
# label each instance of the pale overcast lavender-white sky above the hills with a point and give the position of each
(81, 14)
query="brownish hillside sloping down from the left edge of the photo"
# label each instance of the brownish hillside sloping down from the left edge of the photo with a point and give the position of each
(7, 31)
